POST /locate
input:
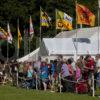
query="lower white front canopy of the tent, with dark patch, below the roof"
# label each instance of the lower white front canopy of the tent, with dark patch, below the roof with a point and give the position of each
(69, 46)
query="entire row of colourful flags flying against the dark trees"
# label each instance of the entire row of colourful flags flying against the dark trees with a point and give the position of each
(63, 22)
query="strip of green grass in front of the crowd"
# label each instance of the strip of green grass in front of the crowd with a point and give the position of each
(12, 93)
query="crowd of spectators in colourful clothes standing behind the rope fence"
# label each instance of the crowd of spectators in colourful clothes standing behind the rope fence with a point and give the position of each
(61, 74)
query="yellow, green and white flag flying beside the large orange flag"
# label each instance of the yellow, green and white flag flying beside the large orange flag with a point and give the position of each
(63, 21)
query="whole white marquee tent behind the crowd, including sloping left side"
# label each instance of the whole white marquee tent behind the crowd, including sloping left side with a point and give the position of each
(64, 44)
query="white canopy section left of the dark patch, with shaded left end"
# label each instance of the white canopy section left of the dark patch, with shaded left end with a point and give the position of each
(56, 46)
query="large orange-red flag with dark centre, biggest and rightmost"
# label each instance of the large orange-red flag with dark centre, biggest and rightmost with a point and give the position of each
(84, 15)
